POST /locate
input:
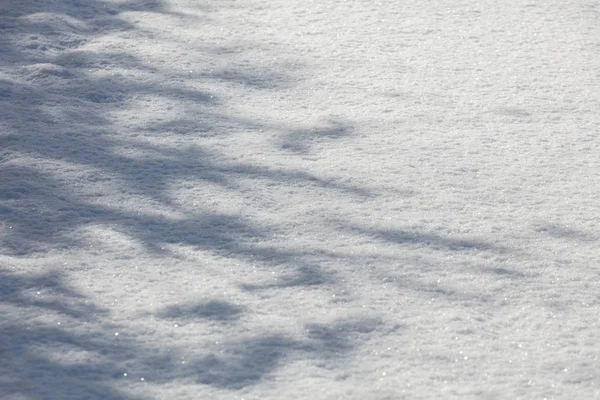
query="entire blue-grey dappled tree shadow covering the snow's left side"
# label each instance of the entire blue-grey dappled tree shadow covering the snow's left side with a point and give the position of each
(65, 166)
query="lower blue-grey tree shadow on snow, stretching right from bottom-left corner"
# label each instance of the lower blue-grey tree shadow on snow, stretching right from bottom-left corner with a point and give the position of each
(55, 344)
